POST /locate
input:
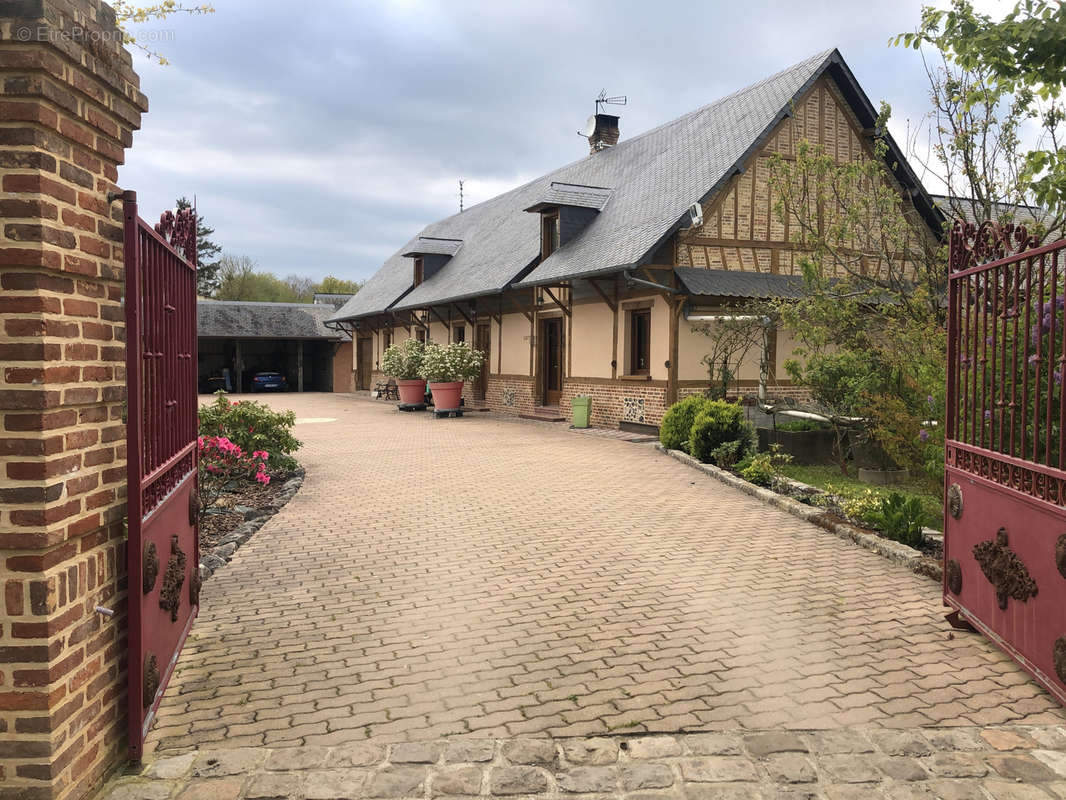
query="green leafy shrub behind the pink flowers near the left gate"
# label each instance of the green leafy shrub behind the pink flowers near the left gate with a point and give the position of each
(253, 427)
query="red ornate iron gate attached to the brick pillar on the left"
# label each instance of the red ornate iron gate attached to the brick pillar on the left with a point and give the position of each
(163, 551)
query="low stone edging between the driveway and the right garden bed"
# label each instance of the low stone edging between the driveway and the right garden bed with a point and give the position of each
(895, 552)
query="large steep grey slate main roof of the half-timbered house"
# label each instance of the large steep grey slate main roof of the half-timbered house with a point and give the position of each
(653, 179)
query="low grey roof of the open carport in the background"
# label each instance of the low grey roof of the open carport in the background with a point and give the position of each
(233, 319)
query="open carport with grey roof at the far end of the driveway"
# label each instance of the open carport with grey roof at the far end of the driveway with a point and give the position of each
(239, 339)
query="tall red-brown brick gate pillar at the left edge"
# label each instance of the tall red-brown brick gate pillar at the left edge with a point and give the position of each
(69, 105)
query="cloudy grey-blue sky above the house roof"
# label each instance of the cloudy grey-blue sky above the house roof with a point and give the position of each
(318, 137)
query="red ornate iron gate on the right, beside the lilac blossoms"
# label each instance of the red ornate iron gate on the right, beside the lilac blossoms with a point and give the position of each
(1006, 478)
